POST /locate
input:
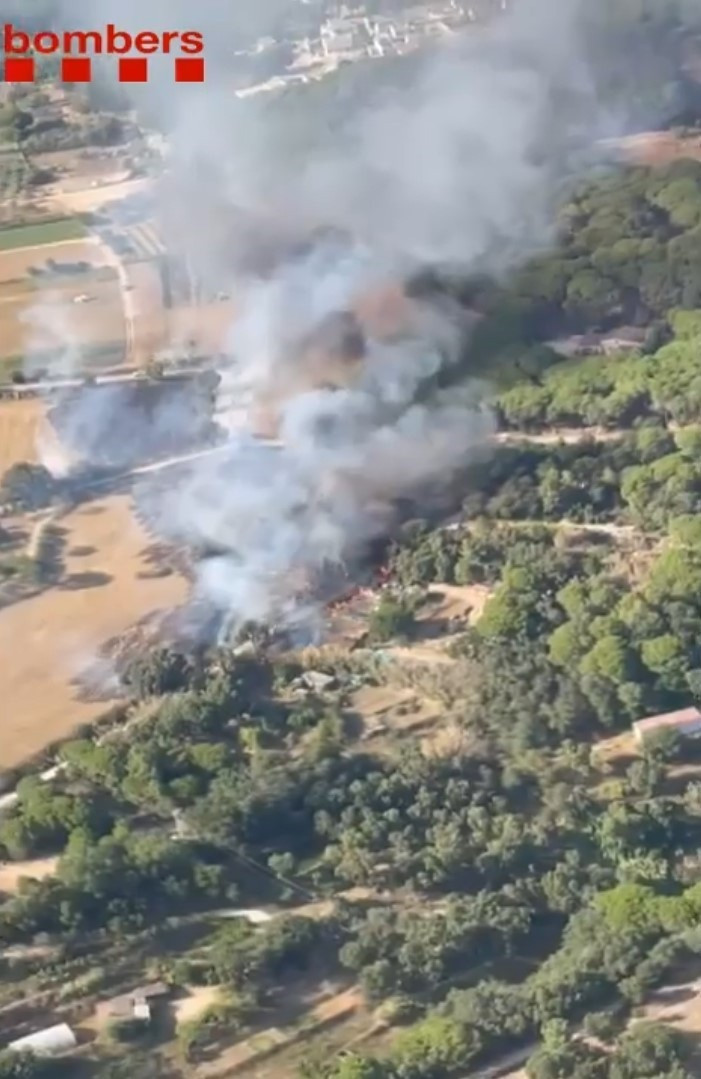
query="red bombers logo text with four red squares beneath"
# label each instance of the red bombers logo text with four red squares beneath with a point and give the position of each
(76, 49)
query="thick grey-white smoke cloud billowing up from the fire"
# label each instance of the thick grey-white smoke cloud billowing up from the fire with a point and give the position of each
(458, 165)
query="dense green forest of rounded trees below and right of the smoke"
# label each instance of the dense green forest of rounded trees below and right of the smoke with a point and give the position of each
(534, 885)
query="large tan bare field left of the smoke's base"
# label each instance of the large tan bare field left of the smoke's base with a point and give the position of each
(50, 641)
